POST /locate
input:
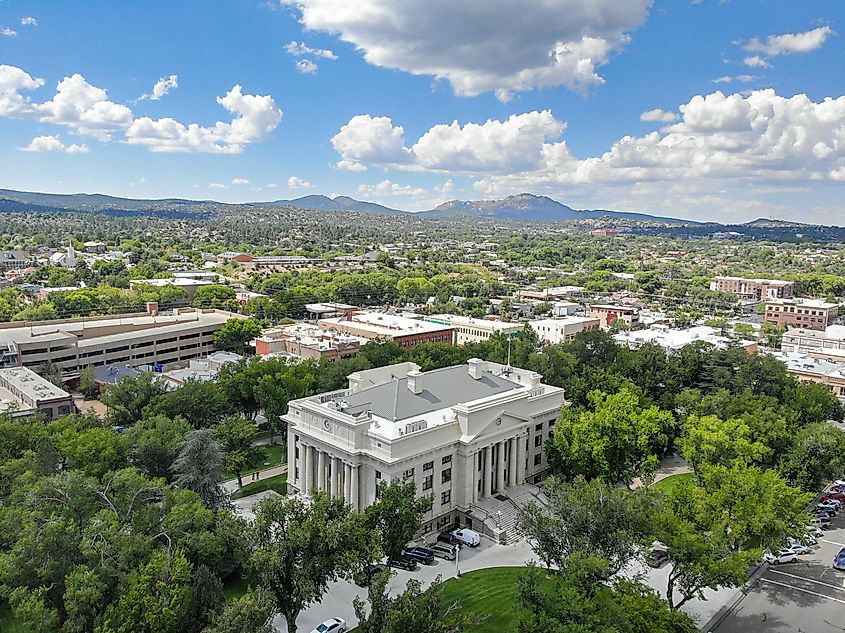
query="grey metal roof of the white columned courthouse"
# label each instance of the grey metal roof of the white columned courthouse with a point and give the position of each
(441, 388)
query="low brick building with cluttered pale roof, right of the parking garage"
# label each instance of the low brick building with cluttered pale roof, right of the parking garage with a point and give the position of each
(306, 341)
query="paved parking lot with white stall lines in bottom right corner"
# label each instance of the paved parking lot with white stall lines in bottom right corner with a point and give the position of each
(807, 596)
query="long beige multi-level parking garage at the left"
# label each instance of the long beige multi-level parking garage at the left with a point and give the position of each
(126, 339)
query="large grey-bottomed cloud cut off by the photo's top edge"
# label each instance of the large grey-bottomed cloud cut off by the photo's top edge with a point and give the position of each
(501, 46)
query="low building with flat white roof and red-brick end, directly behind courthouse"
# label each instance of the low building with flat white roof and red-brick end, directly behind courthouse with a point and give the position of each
(406, 332)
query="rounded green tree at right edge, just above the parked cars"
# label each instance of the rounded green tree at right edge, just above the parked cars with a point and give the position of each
(816, 457)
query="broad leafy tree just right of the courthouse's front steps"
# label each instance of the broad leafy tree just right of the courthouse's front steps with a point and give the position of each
(587, 516)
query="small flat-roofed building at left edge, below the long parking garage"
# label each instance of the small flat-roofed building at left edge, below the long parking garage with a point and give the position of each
(23, 392)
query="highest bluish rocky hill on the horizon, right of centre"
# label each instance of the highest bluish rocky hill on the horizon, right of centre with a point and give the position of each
(528, 207)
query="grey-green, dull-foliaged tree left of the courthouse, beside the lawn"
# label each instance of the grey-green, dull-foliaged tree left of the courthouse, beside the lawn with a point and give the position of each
(199, 467)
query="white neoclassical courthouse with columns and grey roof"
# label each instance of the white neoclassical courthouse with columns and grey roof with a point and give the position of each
(463, 434)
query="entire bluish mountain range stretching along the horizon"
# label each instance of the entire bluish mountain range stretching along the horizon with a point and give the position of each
(520, 207)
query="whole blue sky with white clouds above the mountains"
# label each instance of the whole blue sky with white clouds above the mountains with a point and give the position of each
(746, 114)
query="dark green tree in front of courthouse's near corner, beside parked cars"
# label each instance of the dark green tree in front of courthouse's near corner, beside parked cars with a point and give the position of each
(396, 515)
